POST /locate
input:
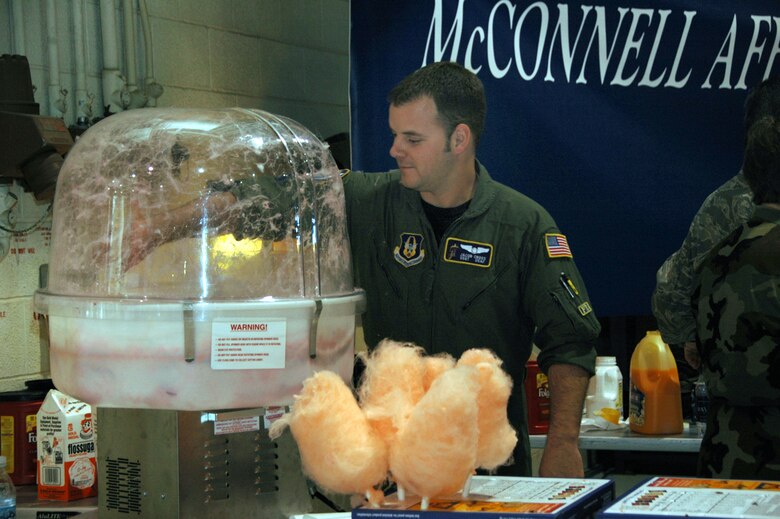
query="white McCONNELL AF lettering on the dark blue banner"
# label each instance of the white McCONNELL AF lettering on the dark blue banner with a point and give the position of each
(635, 50)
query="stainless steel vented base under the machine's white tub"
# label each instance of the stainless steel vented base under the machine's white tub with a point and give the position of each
(171, 464)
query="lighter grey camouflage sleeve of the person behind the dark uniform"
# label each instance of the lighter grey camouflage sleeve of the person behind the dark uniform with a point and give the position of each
(722, 211)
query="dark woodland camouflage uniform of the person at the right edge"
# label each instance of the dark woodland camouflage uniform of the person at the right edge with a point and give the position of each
(737, 306)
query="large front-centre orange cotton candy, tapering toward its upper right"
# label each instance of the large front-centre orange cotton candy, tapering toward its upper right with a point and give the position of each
(435, 451)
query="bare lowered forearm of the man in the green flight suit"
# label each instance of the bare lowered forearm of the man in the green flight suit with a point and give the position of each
(561, 458)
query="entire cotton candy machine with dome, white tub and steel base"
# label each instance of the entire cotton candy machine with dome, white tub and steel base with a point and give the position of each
(184, 321)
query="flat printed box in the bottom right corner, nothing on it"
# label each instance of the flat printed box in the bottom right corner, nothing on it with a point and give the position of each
(665, 497)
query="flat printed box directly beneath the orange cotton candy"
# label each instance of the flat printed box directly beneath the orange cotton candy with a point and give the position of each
(496, 497)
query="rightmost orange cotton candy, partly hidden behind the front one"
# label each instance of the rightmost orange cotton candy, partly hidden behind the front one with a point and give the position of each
(497, 438)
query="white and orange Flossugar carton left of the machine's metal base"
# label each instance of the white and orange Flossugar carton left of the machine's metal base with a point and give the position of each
(67, 465)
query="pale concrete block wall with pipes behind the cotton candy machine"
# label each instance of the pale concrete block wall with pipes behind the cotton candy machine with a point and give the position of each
(289, 57)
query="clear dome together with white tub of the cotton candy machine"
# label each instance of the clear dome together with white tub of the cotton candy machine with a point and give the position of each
(147, 308)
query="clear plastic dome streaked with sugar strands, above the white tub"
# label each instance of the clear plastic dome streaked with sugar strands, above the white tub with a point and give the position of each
(133, 169)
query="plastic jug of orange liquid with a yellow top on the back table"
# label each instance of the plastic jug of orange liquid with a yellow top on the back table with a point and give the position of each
(655, 403)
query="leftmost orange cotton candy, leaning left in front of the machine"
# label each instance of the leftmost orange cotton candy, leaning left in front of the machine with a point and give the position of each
(339, 450)
